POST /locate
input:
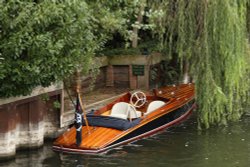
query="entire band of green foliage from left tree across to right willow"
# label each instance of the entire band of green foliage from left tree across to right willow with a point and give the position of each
(45, 41)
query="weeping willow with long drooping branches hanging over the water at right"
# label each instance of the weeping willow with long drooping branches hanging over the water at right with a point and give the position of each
(212, 37)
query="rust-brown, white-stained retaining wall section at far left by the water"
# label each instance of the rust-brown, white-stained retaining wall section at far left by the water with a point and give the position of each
(26, 122)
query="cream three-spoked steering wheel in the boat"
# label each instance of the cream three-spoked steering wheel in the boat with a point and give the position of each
(140, 99)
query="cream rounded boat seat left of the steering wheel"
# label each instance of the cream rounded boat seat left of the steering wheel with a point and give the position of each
(120, 110)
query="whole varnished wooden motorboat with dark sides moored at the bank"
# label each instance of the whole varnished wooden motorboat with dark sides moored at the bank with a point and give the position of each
(129, 118)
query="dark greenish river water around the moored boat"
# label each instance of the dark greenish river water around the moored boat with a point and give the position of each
(179, 146)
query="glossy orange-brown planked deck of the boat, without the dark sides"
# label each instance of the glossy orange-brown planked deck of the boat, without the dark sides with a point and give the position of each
(101, 137)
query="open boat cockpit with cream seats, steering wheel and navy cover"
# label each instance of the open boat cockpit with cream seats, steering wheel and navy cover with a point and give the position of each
(126, 113)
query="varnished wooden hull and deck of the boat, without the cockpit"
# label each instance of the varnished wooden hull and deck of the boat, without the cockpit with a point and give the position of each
(178, 109)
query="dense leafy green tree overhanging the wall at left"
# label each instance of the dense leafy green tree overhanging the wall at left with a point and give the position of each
(46, 41)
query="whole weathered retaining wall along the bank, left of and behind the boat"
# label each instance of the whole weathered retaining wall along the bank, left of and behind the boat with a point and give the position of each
(25, 121)
